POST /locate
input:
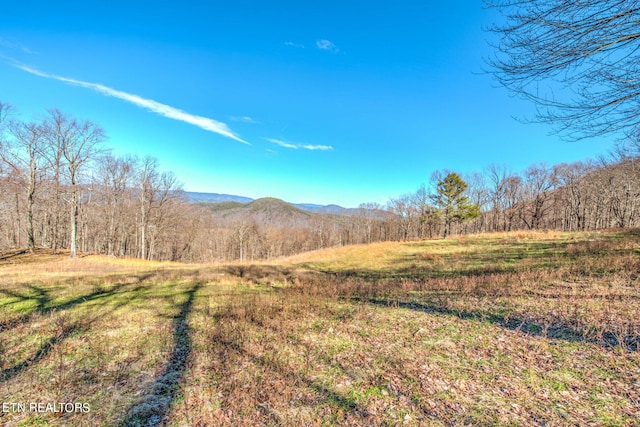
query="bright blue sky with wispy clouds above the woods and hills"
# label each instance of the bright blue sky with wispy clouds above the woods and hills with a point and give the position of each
(332, 102)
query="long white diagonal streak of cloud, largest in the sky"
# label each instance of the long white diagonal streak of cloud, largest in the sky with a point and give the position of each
(148, 104)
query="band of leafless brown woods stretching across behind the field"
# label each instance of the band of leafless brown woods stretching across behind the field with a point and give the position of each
(61, 188)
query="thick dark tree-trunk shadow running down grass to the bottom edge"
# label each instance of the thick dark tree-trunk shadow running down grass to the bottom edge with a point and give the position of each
(151, 409)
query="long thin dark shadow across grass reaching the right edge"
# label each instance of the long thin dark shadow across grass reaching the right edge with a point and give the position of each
(556, 331)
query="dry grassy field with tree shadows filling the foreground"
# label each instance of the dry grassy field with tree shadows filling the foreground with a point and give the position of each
(519, 328)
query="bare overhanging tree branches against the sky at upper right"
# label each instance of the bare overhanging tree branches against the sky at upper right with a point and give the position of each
(578, 60)
